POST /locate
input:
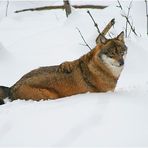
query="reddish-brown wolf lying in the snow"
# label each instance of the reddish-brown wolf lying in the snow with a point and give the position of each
(96, 71)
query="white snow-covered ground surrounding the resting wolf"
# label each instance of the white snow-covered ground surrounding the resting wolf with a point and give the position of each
(33, 39)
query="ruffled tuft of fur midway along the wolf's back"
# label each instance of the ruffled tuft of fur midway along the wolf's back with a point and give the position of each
(65, 67)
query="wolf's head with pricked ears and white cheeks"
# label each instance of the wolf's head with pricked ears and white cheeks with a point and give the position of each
(112, 53)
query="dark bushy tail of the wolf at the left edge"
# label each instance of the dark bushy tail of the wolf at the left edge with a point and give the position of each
(4, 93)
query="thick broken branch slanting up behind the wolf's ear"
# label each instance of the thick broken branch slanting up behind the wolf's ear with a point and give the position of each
(106, 29)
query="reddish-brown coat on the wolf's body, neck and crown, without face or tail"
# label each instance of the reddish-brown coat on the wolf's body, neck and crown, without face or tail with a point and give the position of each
(87, 74)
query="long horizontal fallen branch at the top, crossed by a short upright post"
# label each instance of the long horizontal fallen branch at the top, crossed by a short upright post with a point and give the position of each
(62, 7)
